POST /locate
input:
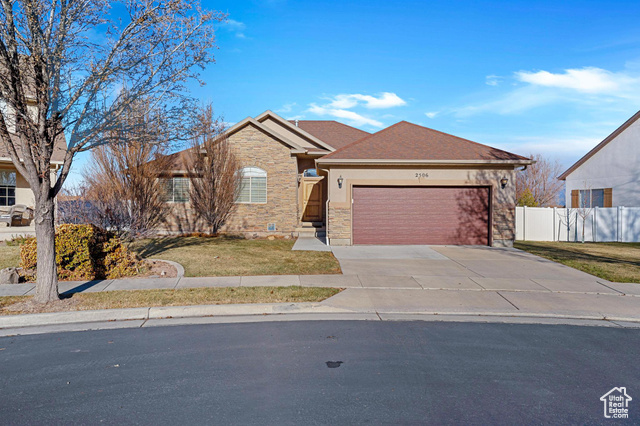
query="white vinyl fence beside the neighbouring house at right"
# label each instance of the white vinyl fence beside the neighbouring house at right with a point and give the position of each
(558, 224)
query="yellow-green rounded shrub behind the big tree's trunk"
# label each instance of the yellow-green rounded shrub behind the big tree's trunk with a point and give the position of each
(84, 252)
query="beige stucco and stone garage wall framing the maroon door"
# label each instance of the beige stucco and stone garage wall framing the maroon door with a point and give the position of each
(503, 202)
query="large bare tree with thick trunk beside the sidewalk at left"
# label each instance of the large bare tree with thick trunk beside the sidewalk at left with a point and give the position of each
(63, 64)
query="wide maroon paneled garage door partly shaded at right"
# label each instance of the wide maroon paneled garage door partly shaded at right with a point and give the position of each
(420, 215)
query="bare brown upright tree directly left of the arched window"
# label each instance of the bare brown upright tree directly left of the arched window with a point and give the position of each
(213, 167)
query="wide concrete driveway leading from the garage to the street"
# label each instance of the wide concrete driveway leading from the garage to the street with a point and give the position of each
(476, 280)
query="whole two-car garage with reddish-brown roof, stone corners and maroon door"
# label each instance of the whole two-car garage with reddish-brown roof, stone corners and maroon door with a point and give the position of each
(408, 184)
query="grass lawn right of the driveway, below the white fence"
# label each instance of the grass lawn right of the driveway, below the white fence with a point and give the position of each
(618, 262)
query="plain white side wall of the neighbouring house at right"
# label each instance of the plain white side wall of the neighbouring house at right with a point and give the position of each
(614, 166)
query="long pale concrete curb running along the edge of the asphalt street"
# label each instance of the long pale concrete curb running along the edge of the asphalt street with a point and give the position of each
(261, 312)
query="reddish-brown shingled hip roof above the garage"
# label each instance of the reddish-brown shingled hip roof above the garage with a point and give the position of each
(408, 142)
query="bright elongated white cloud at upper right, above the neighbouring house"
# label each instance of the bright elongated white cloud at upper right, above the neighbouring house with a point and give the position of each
(585, 80)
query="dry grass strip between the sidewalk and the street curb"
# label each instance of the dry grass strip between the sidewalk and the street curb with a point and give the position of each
(181, 297)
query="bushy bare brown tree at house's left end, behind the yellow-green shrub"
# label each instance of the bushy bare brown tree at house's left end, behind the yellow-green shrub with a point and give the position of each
(122, 178)
